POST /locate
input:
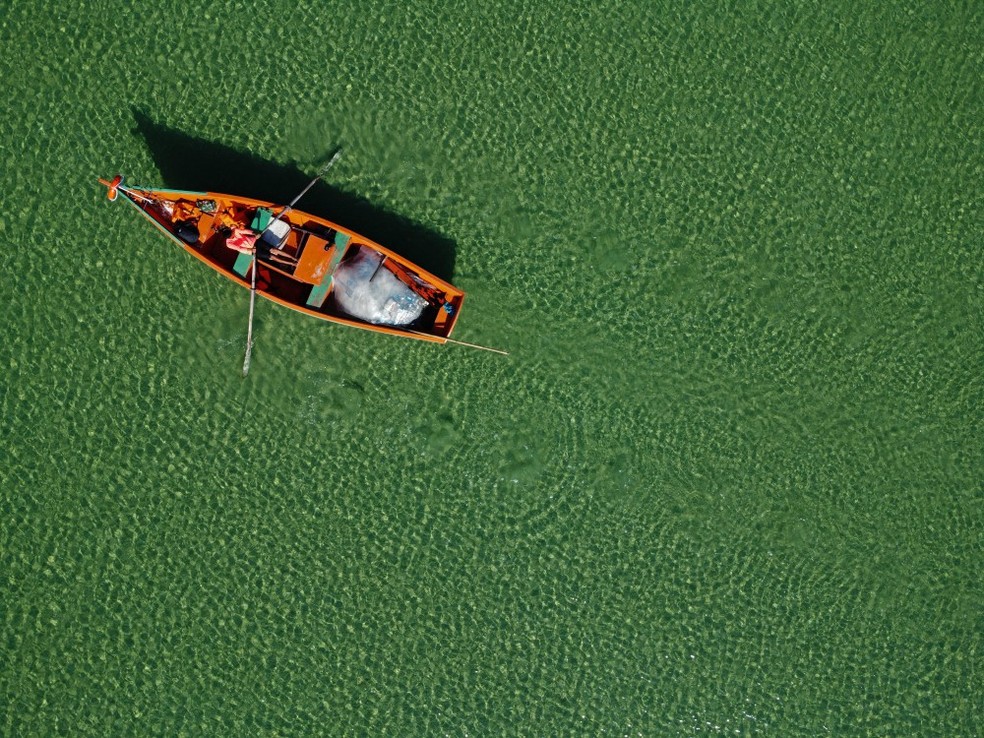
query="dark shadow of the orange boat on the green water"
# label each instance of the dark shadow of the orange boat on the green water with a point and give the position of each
(186, 162)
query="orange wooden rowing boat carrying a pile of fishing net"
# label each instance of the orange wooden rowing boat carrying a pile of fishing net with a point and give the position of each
(303, 262)
